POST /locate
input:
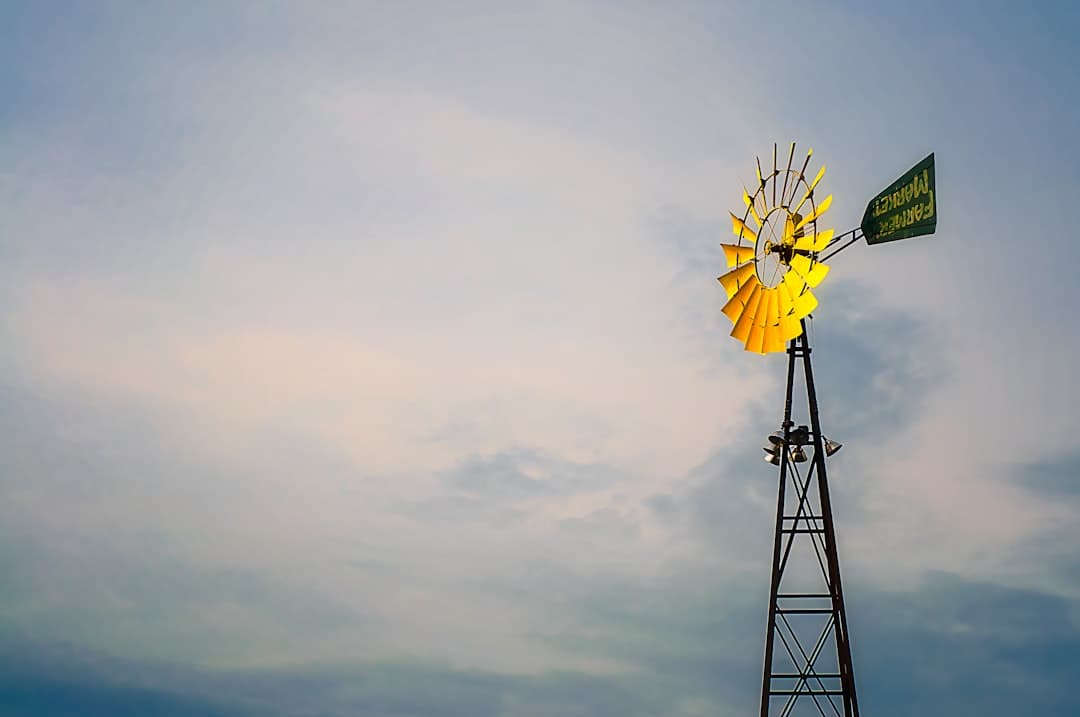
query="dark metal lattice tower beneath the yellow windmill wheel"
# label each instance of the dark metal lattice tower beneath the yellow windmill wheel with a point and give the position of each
(807, 666)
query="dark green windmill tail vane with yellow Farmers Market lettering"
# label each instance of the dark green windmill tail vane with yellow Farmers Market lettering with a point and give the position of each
(909, 208)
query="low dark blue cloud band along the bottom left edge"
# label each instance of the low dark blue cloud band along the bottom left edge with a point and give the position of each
(50, 680)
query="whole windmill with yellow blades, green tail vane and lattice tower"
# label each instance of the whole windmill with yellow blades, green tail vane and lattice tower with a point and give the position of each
(777, 263)
